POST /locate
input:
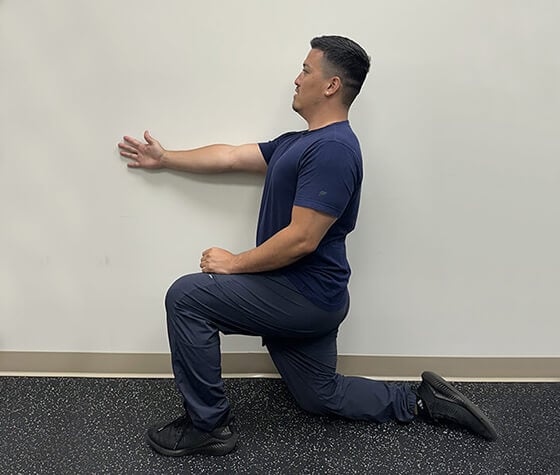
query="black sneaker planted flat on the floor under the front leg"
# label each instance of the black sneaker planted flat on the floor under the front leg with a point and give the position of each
(180, 437)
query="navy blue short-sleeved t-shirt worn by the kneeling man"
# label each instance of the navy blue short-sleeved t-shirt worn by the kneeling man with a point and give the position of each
(319, 169)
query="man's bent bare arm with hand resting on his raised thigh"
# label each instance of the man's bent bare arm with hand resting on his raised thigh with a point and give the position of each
(301, 237)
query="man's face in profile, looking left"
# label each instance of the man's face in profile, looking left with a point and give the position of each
(310, 83)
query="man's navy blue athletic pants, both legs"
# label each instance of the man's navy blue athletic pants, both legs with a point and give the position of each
(300, 337)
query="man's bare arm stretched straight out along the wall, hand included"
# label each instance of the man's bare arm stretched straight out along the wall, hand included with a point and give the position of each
(217, 158)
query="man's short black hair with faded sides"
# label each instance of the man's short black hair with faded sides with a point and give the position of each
(346, 59)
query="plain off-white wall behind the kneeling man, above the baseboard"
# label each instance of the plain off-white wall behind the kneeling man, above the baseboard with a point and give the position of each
(457, 247)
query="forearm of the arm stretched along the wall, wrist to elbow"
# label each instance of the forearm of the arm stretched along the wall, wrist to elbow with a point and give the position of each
(209, 159)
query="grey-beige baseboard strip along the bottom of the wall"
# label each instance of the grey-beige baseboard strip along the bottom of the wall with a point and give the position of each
(258, 363)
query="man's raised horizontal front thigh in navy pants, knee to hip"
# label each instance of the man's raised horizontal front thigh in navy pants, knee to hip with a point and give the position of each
(250, 304)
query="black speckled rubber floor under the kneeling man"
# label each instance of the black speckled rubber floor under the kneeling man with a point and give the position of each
(84, 425)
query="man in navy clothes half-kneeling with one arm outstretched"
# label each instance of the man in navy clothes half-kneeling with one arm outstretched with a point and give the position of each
(291, 289)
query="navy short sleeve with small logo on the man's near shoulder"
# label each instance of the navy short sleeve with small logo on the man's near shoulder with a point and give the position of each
(329, 174)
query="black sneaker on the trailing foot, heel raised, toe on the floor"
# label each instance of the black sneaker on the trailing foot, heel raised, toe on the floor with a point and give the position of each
(440, 401)
